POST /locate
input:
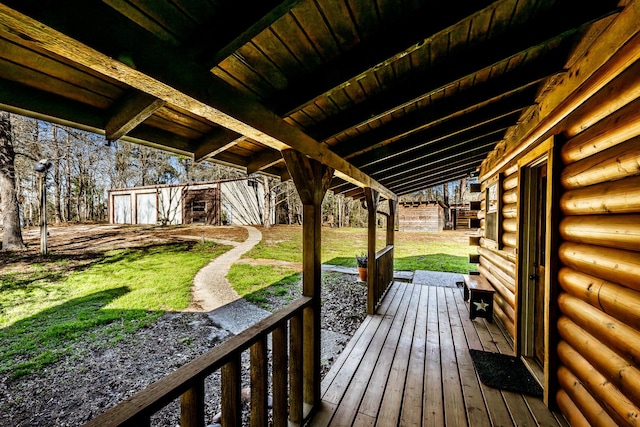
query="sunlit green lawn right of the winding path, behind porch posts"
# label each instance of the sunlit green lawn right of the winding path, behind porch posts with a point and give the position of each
(447, 251)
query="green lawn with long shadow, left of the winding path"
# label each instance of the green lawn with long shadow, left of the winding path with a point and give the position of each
(46, 306)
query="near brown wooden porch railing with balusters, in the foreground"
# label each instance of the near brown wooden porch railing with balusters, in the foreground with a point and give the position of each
(187, 382)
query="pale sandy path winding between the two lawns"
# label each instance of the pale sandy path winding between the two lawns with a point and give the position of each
(211, 289)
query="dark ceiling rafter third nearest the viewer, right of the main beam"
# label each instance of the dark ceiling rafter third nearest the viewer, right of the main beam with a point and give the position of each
(532, 39)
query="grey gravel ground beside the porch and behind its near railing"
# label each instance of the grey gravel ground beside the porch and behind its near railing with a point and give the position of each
(101, 374)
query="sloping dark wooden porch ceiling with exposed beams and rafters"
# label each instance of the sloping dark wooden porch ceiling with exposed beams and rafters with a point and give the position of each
(398, 95)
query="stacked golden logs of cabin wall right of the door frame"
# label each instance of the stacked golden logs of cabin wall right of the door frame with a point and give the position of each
(599, 324)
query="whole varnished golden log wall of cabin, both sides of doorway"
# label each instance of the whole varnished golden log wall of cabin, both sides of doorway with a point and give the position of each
(592, 365)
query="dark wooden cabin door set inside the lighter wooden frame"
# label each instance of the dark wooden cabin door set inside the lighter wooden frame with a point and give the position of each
(534, 238)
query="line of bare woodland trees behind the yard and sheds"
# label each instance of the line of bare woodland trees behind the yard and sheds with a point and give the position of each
(83, 166)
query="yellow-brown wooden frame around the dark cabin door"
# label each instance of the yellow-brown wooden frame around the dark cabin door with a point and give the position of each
(547, 151)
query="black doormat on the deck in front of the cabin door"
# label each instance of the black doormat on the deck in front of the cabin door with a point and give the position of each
(505, 373)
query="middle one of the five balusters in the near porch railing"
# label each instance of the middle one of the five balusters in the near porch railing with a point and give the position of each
(259, 383)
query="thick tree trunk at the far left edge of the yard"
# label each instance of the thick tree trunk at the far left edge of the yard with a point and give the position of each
(12, 235)
